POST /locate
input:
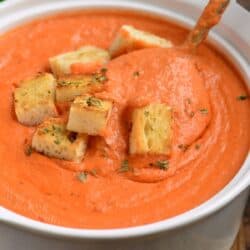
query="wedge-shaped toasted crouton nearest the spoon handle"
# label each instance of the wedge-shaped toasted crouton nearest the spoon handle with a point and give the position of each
(129, 39)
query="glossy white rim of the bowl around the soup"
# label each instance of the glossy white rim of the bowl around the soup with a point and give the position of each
(237, 185)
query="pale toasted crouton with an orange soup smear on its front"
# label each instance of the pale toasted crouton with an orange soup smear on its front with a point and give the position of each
(88, 59)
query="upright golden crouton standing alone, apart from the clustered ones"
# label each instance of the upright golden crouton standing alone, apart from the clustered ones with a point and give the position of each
(151, 130)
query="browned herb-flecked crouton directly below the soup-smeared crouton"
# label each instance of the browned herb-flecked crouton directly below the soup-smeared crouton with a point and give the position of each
(69, 87)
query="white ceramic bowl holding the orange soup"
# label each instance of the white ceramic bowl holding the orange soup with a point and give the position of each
(211, 226)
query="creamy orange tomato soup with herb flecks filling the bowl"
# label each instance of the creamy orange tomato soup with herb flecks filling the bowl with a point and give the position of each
(211, 132)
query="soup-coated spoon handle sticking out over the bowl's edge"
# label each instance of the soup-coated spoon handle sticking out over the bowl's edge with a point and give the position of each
(209, 18)
